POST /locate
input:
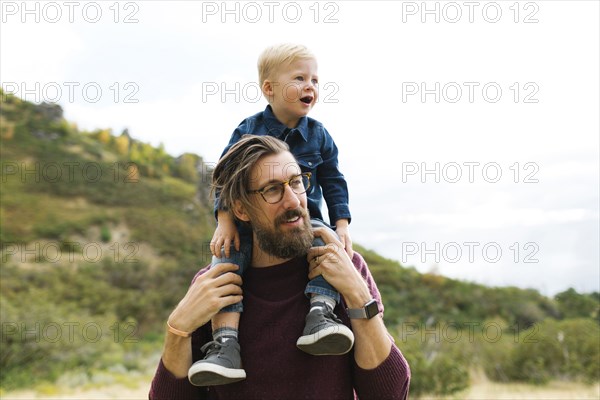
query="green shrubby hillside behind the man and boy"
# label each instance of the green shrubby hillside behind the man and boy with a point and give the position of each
(100, 235)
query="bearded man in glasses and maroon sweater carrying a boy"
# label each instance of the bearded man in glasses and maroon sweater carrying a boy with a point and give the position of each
(273, 294)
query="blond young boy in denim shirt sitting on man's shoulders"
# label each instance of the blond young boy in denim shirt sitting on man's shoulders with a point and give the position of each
(289, 82)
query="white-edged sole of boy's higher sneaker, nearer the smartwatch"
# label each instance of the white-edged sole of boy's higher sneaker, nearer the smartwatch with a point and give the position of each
(332, 341)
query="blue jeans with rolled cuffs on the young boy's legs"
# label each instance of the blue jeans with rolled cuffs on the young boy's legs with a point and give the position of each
(243, 258)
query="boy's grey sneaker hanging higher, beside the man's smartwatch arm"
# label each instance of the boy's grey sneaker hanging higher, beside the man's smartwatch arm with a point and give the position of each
(324, 334)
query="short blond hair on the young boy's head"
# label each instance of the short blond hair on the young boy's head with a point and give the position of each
(274, 57)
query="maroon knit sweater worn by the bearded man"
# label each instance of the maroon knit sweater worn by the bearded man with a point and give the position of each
(274, 310)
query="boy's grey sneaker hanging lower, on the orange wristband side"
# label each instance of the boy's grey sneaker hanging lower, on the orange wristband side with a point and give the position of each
(221, 365)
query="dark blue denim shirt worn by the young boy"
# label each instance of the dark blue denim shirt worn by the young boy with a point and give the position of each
(315, 151)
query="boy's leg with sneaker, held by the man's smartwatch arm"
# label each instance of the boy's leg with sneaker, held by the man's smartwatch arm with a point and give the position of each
(324, 333)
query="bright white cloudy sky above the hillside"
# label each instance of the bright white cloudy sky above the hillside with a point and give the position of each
(468, 131)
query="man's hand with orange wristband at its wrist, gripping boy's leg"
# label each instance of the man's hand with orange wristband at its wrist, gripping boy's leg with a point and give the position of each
(216, 288)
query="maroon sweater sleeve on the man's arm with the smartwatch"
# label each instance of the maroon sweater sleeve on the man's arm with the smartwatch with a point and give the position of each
(391, 379)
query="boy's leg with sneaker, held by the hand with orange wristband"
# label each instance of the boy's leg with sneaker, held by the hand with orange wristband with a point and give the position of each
(222, 363)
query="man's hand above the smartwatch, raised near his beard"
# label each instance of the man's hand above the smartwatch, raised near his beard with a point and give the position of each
(335, 265)
